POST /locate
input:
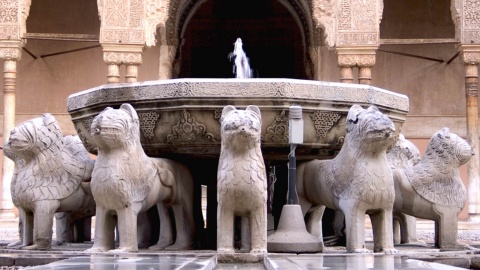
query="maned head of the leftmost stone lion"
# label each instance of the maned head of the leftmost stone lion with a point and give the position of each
(41, 134)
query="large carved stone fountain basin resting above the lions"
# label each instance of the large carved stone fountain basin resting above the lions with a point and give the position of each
(181, 116)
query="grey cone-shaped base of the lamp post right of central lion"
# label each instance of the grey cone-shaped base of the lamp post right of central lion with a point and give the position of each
(291, 235)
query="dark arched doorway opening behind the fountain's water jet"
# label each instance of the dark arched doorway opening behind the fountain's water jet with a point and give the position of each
(270, 35)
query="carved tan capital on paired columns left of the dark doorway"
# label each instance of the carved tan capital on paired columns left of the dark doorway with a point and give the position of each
(122, 54)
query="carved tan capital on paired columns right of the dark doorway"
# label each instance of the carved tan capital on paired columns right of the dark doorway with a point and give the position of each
(356, 57)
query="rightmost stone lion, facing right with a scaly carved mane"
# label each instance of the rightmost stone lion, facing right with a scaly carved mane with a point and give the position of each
(432, 189)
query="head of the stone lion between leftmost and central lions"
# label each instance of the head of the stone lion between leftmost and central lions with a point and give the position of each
(116, 128)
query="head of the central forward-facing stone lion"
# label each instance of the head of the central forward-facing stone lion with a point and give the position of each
(241, 128)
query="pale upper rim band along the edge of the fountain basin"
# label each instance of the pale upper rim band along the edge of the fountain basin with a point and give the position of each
(203, 89)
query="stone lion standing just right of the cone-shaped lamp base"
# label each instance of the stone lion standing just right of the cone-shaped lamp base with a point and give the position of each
(357, 181)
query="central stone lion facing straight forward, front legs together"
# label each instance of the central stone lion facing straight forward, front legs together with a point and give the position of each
(241, 180)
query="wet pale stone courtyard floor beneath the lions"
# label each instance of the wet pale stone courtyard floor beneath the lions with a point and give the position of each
(71, 256)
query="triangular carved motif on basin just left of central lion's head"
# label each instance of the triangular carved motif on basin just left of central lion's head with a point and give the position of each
(187, 130)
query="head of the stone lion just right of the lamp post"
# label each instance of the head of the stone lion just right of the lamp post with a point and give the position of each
(369, 128)
